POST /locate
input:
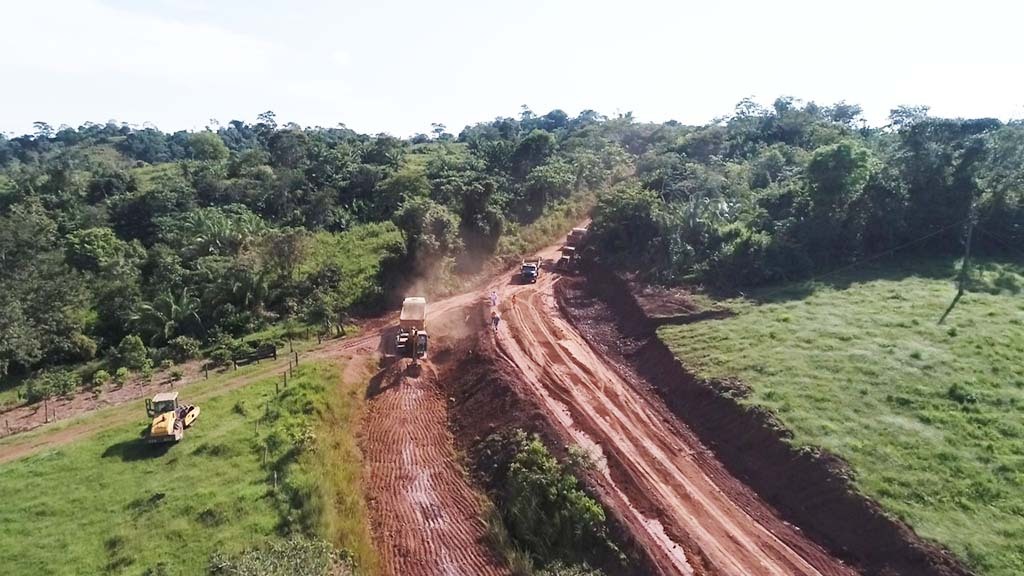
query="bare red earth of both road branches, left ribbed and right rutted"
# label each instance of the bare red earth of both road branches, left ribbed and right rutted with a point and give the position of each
(685, 511)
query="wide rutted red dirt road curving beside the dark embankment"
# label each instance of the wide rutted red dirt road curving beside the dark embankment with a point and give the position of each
(680, 505)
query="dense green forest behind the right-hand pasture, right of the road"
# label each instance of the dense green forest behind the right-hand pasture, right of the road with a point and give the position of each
(770, 195)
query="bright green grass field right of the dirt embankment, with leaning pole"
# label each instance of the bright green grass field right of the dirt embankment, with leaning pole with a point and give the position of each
(931, 418)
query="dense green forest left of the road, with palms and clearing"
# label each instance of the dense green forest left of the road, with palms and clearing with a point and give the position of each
(143, 248)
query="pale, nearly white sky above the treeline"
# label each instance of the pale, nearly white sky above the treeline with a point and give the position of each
(397, 66)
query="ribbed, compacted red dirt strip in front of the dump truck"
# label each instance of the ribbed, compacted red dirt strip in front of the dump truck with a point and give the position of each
(426, 518)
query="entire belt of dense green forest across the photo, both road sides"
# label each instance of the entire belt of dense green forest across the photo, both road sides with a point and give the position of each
(114, 239)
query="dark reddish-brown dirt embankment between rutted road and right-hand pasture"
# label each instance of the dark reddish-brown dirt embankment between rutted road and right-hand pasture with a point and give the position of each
(810, 490)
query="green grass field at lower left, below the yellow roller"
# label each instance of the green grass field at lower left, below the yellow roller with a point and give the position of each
(113, 505)
